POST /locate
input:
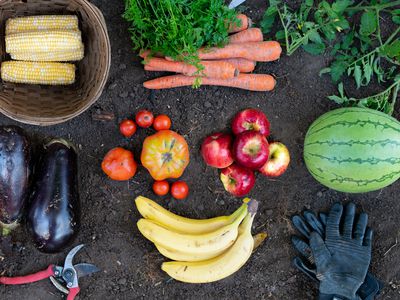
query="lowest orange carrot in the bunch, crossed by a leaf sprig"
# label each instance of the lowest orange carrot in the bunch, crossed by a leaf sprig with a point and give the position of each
(251, 82)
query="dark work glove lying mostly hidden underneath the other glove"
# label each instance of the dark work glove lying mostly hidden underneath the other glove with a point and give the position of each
(309, 222)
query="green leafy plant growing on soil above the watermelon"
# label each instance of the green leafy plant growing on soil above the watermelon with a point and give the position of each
(352, 34)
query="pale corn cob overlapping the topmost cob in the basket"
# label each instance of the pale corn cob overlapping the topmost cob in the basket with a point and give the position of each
(44, 41)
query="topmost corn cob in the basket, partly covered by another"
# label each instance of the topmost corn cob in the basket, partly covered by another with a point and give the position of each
(35, 23)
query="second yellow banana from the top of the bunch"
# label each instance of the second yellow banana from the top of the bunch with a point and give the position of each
(210, 242)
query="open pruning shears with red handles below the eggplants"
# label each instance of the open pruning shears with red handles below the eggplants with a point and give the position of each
(63, 278)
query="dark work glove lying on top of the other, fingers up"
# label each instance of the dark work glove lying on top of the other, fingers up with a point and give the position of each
(341, 260)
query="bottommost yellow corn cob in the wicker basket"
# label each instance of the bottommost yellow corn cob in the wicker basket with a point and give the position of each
(49, 73)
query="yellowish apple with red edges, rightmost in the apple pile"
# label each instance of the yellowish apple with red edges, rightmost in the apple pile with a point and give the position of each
(278, 161)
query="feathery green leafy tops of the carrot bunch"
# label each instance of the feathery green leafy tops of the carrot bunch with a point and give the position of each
(178, 28)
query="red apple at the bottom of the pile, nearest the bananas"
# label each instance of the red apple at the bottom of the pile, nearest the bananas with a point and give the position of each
(237, 180)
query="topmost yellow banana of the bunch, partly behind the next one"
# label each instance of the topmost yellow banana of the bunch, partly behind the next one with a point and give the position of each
(152, 211)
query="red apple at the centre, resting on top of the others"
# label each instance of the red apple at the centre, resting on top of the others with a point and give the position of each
(250, 149)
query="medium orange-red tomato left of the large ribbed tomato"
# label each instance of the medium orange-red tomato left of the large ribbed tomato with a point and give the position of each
(119, 164)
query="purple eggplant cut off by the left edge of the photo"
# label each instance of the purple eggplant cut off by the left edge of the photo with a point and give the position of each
(15, 173)
